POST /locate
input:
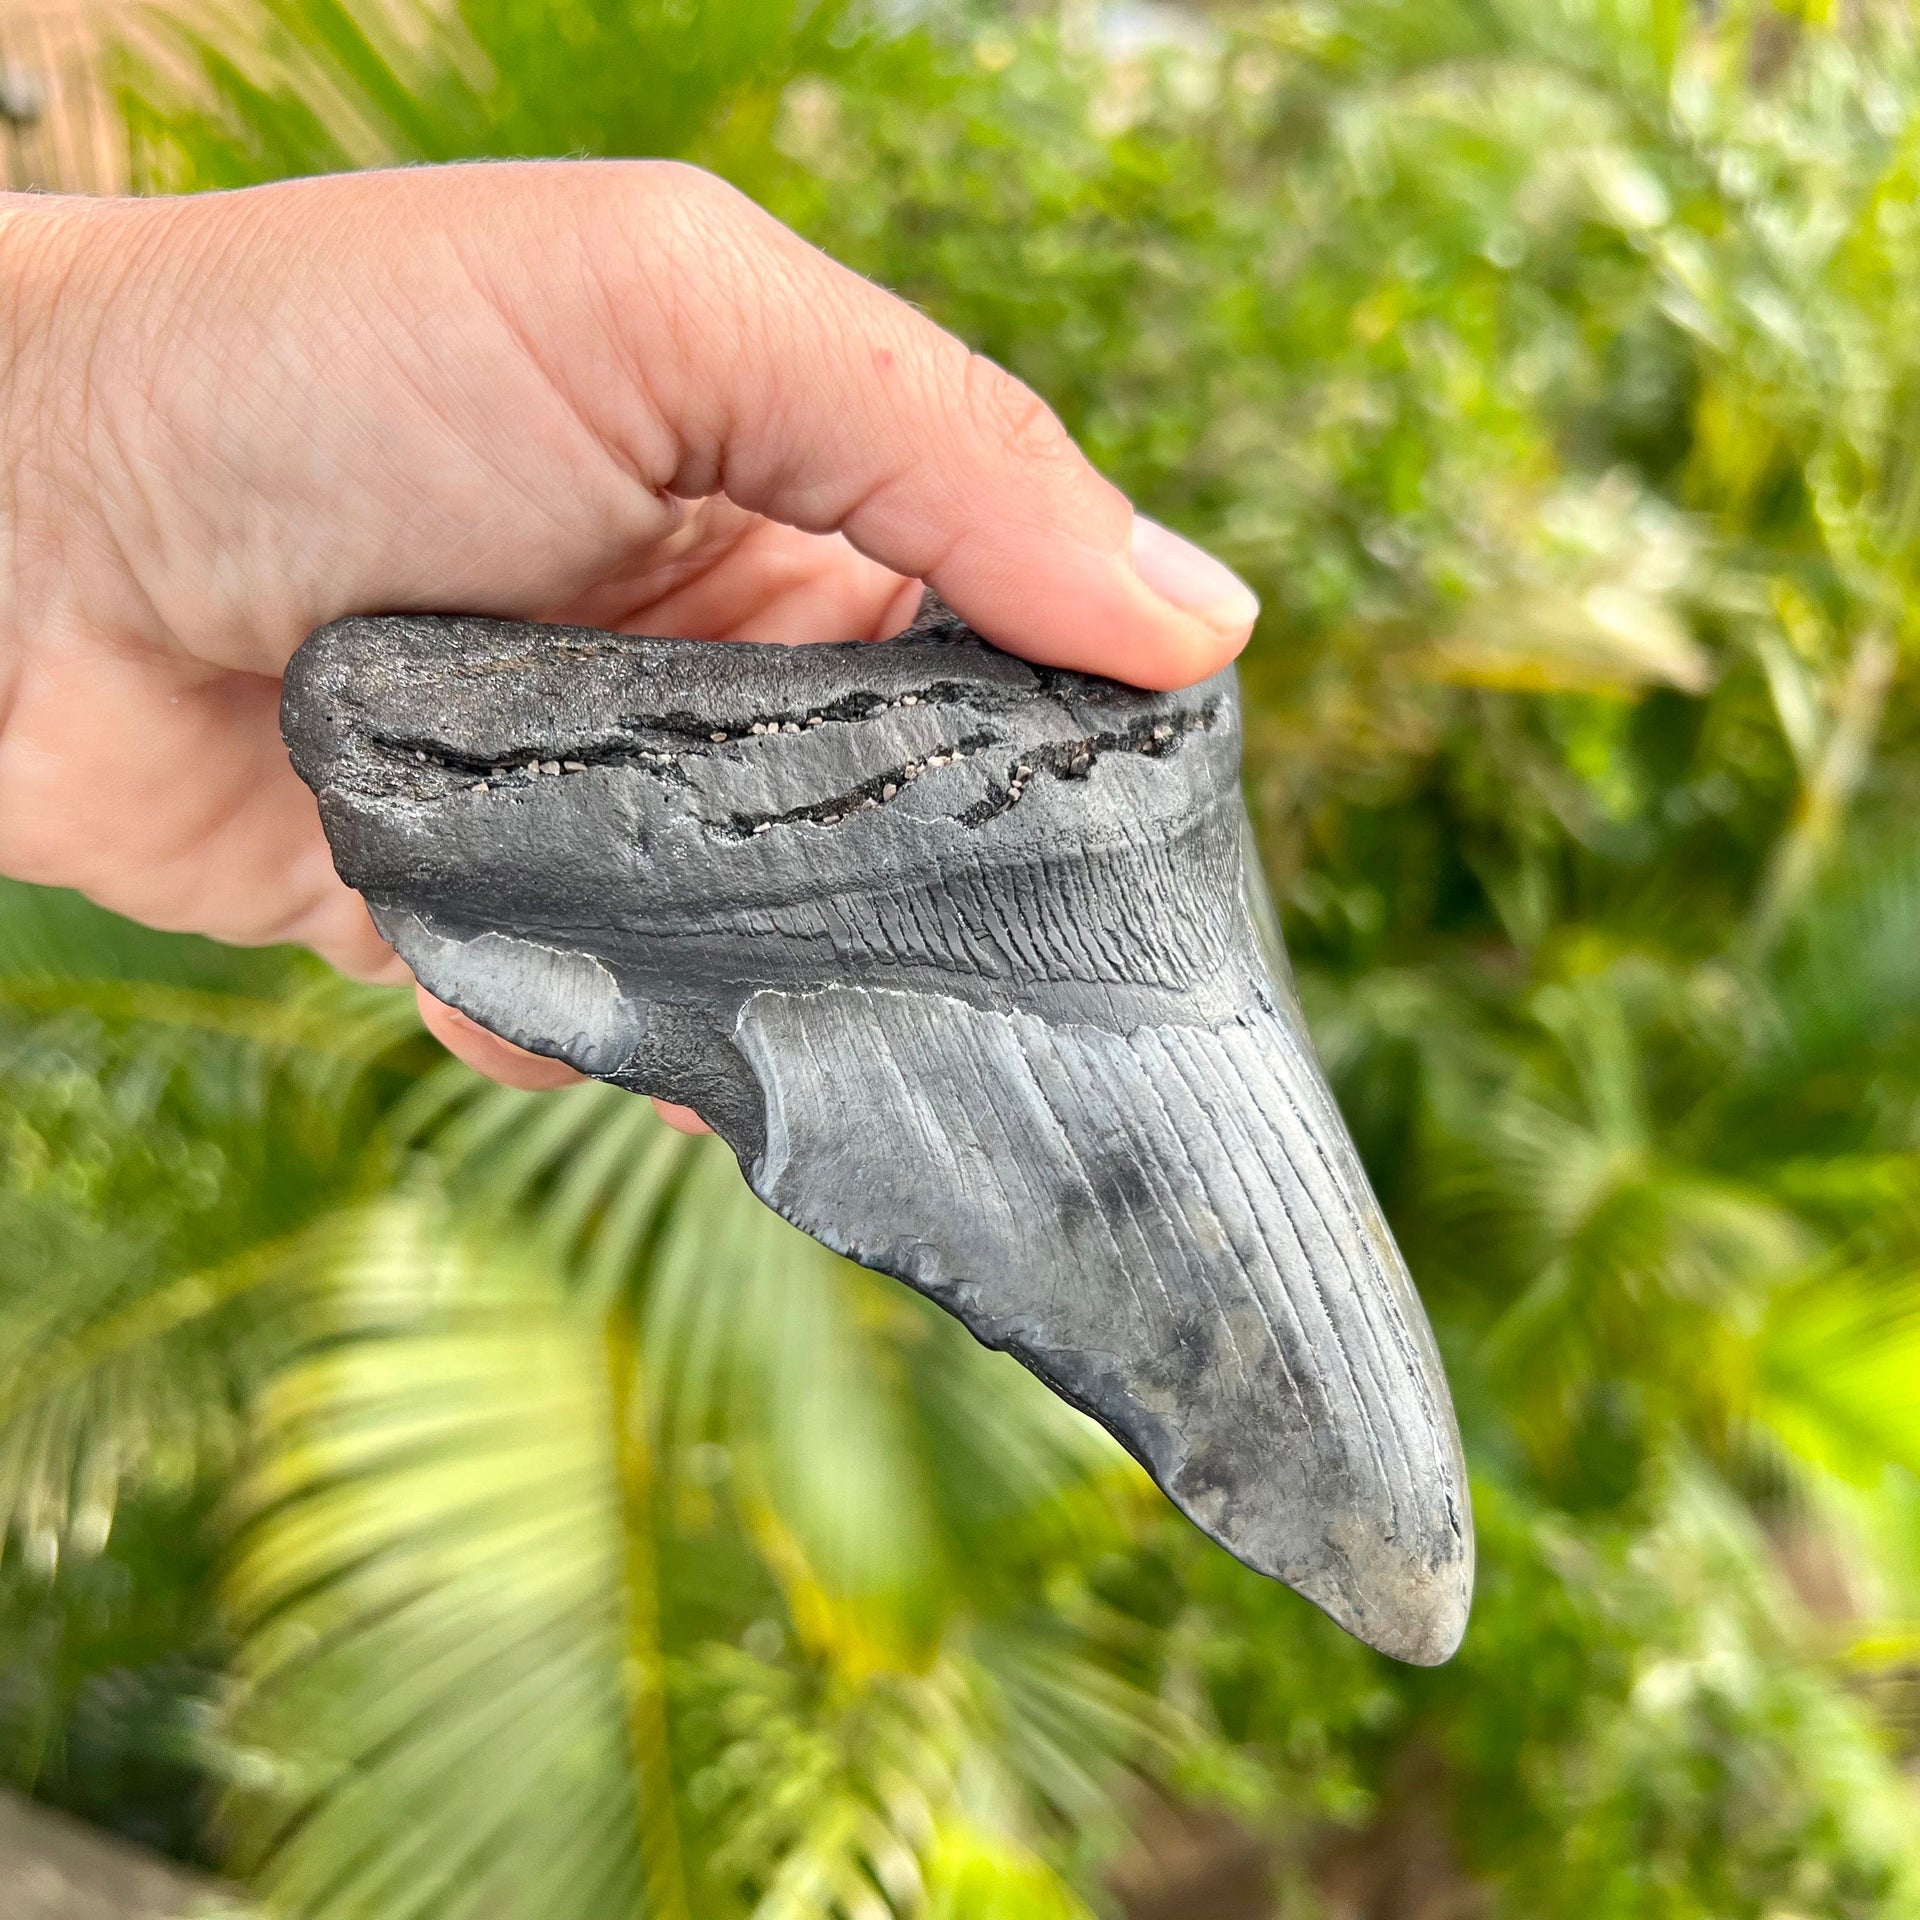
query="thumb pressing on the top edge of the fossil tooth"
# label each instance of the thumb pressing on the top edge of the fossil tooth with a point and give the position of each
(817, 398)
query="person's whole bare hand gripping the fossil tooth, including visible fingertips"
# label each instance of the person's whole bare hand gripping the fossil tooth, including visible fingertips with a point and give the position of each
(615, 395)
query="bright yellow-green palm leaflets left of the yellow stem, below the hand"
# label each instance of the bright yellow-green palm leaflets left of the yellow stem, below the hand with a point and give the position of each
(431, 1579)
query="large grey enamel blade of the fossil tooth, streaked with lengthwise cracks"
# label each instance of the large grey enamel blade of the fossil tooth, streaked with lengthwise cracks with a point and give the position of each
(1186, 1253)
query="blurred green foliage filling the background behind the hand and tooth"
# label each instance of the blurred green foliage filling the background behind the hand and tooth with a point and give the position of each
(473, 1504)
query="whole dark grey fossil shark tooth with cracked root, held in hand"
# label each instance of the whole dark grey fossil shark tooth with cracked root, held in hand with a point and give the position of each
(967, 963)
